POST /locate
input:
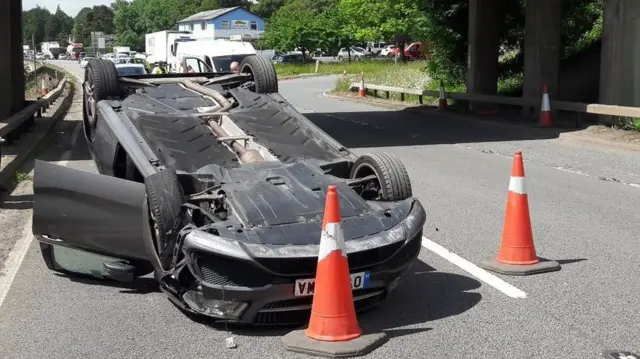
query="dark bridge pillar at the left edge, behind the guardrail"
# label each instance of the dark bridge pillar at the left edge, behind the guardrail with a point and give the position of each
(11, 61)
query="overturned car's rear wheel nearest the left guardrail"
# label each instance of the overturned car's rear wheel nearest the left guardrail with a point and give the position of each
(100, 82)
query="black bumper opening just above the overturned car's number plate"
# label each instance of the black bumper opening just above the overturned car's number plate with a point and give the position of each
(308, 265)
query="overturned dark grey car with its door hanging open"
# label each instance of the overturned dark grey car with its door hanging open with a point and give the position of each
(214, 183)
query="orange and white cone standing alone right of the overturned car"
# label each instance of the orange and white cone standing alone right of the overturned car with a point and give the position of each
(517, 253)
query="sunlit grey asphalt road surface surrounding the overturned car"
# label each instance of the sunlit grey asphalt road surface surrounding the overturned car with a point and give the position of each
(460, 171)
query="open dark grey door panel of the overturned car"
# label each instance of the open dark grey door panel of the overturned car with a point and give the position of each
(87, 211)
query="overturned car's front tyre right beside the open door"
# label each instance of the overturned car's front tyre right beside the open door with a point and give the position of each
(165, 197)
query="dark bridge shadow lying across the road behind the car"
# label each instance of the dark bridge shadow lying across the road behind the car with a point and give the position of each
(424, 126)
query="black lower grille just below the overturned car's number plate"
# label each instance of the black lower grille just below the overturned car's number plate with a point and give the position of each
(298, 310)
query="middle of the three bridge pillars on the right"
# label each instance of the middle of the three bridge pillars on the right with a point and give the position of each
(542, 49)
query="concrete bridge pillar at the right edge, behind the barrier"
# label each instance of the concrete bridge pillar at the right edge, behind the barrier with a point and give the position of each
(620, 58)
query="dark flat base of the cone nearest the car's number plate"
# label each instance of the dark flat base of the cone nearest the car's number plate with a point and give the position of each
(298, 342)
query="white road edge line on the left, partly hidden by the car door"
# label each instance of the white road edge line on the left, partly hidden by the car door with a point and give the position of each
(19, 250)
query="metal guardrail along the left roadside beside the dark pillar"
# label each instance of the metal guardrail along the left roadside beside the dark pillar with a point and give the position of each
(13, 126)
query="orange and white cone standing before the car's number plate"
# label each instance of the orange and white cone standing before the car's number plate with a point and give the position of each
(333, 329)
